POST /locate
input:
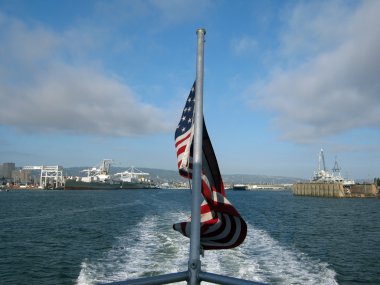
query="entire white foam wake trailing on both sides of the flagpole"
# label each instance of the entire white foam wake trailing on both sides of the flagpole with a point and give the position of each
(153, 248)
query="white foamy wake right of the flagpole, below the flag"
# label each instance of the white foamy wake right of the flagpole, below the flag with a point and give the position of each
(263, 259)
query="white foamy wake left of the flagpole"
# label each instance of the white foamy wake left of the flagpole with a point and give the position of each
(152, 248)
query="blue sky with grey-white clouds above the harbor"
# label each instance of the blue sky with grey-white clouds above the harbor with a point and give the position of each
(83, 81)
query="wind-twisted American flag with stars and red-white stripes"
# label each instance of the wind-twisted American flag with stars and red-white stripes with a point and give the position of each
(222, 226)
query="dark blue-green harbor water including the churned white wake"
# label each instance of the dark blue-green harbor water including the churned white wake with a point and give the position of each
(85, 237)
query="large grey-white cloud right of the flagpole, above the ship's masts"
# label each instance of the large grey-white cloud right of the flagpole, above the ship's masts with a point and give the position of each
(335, 88)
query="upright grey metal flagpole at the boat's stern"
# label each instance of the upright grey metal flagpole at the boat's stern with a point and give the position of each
(194, 257)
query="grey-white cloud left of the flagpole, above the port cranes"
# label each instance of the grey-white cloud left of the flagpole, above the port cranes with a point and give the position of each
(42, 87)
